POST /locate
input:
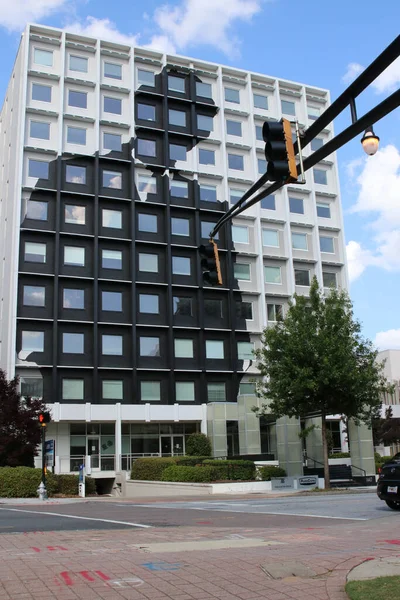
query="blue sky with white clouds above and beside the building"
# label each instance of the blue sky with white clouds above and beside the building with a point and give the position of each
(325, 44)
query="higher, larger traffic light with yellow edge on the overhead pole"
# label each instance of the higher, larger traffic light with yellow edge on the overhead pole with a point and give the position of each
(279, 151)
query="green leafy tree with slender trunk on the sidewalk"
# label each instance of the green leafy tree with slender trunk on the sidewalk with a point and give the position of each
(316, 362)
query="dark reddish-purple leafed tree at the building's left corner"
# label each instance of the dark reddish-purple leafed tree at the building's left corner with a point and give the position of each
(20, 432)
